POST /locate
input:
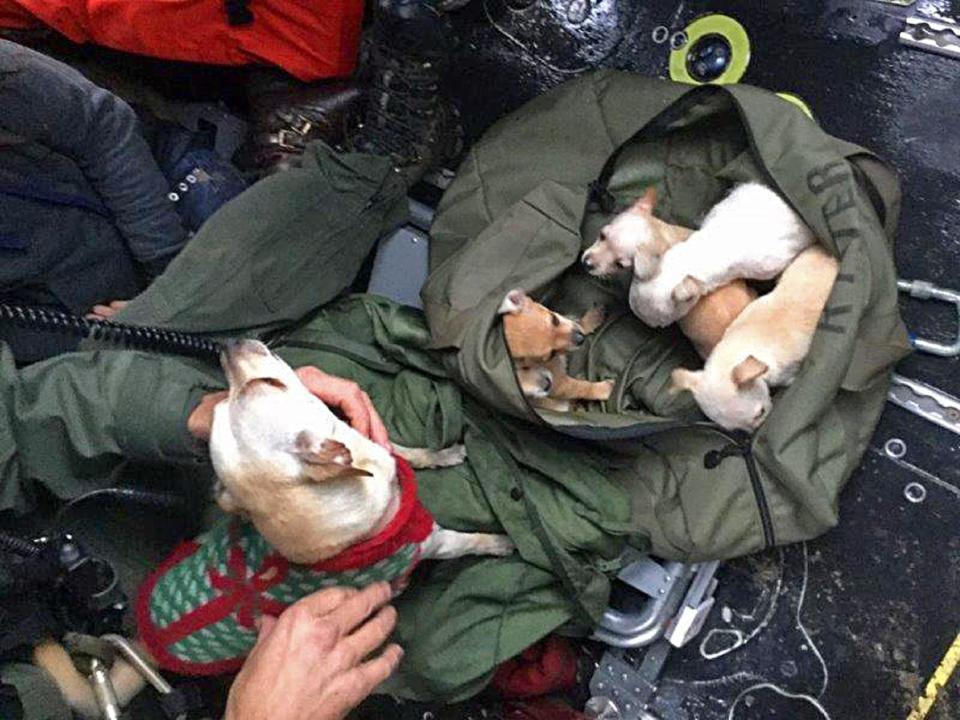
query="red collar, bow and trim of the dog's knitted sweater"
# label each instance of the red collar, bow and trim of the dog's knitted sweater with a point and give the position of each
(411, 524)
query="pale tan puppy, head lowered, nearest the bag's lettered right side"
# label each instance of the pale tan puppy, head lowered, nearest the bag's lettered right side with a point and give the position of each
(764, 346)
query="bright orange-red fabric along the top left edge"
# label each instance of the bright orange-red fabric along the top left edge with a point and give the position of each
(310, 39)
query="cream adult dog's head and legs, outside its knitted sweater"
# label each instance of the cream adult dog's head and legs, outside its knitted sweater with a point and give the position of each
(311, 485)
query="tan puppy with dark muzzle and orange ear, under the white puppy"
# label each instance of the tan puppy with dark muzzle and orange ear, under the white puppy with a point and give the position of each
(637, 239)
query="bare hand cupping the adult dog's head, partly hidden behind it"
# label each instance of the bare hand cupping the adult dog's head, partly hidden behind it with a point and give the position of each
(343, 395)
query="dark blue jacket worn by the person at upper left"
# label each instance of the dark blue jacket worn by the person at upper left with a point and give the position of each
(83, 206)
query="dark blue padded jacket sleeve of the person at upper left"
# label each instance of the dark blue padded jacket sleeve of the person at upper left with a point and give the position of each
(50, 103)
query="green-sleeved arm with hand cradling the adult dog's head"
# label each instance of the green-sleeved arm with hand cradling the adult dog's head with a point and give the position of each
(67, 422)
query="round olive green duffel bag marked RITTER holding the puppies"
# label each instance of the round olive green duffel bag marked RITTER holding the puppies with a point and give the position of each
(534, 192)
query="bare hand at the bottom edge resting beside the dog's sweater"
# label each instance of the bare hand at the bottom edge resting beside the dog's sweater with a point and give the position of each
(308, 664)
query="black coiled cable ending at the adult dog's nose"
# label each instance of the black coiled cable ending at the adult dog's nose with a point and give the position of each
(151, 339)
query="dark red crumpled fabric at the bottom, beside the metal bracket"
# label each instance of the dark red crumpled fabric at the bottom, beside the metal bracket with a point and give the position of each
(549, 666)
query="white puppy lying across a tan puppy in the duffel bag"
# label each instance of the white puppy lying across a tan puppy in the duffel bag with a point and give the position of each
(752, 234)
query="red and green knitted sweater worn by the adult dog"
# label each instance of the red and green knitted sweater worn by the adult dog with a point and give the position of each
(197, 612)
